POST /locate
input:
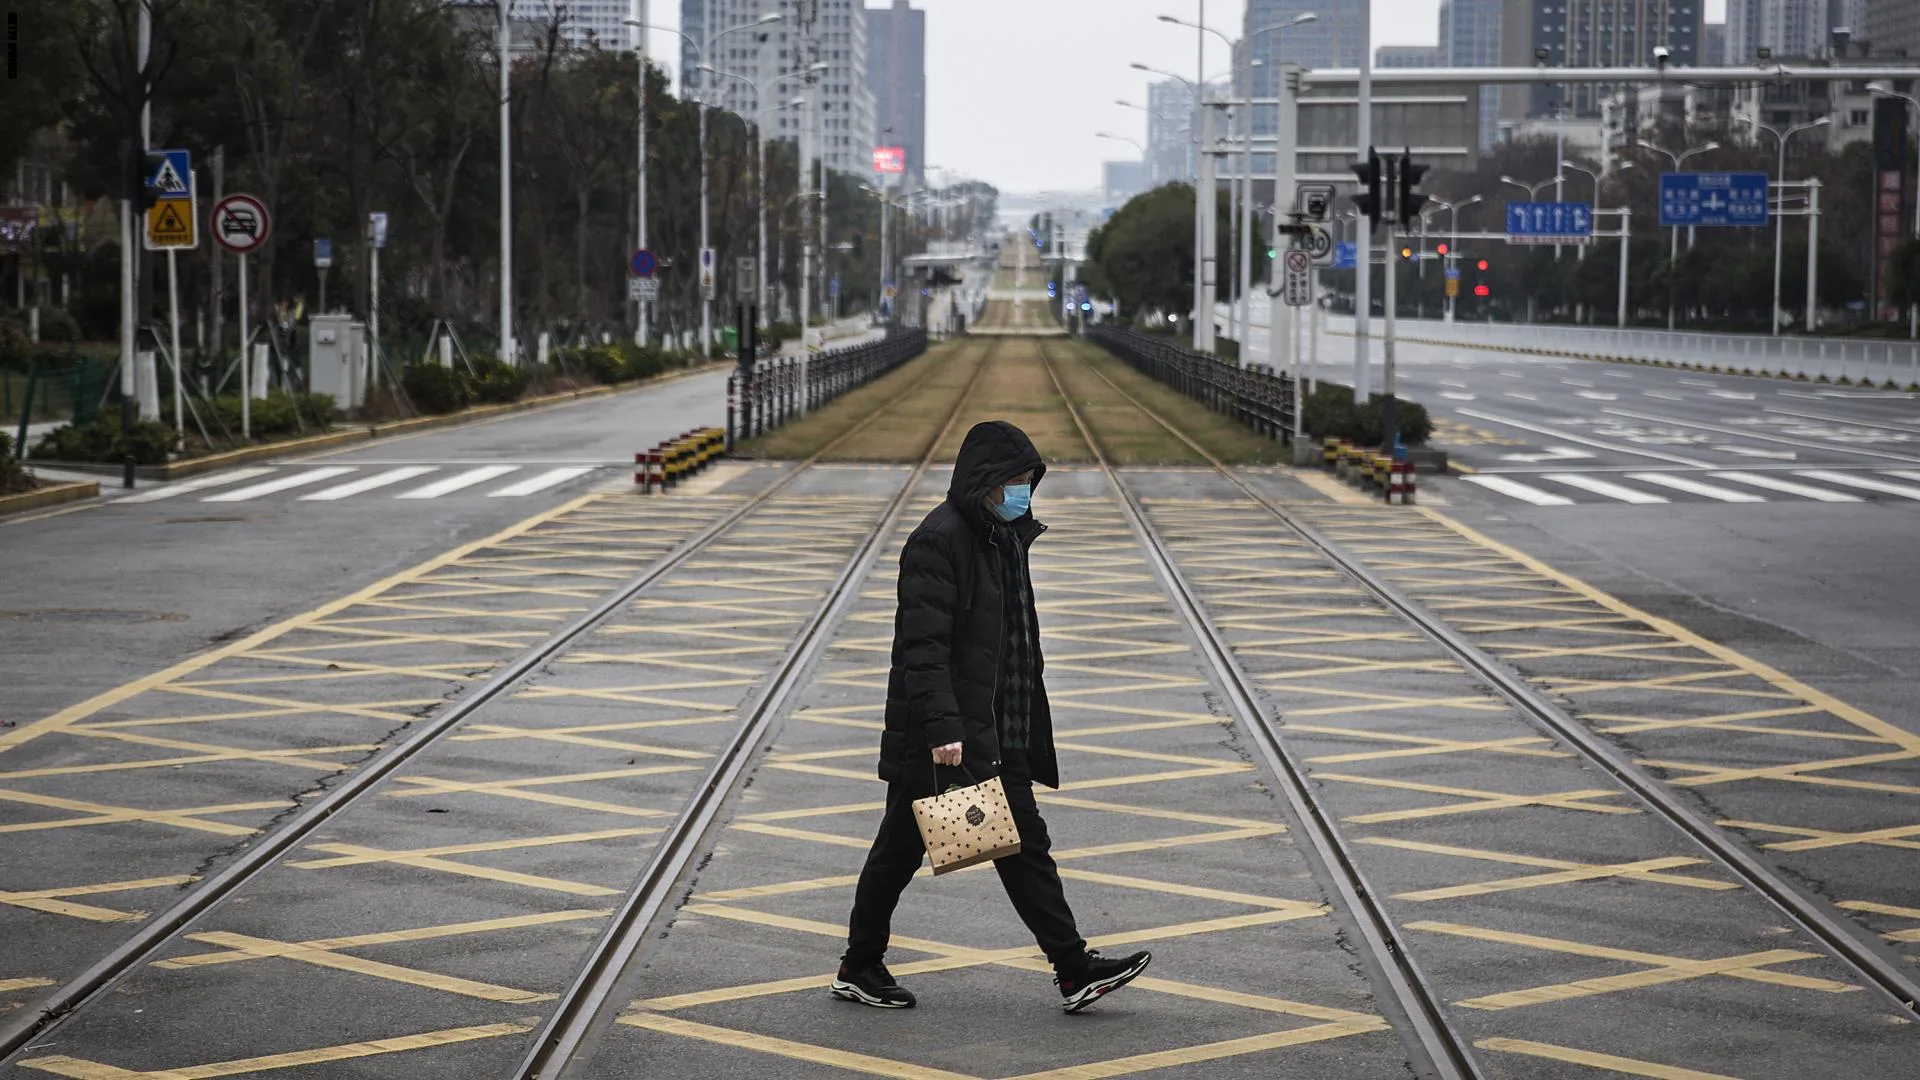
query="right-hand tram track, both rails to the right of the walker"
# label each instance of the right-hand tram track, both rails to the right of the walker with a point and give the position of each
(1812, 916)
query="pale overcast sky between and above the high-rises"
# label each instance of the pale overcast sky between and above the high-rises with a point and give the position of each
(1017, 89)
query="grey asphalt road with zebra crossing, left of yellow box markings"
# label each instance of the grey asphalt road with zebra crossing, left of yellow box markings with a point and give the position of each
(132, 585)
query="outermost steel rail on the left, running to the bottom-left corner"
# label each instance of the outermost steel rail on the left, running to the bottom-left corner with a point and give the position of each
(270, 848)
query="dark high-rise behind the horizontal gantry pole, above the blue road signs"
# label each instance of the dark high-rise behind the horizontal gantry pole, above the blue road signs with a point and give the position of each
(1593, 34)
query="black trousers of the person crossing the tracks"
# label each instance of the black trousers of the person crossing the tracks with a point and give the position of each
(1030, 879)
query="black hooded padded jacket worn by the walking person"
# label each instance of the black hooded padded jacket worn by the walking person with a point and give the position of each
(951, 626)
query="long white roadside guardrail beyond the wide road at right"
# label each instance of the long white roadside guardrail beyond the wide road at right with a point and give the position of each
(1856, 360)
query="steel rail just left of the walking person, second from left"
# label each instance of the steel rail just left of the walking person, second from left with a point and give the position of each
(588, 1006)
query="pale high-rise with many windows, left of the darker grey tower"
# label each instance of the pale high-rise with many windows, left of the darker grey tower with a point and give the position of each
(769, 62)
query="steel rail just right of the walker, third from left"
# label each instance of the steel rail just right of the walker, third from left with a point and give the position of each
(1447, 1054)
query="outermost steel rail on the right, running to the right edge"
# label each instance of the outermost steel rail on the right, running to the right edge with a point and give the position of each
(1812, 914)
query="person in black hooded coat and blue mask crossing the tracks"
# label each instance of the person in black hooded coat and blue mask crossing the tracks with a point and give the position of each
(967, 699)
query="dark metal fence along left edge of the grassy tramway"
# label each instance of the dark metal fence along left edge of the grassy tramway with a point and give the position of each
(773, 393)
